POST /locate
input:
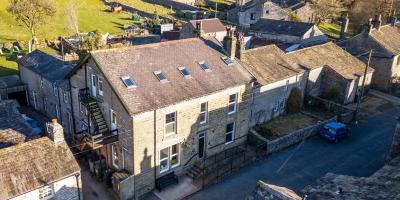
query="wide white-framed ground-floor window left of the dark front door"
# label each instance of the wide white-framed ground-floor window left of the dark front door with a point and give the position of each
(169, 157)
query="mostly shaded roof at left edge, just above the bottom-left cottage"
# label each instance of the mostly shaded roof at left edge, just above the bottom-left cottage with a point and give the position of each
(13, 127)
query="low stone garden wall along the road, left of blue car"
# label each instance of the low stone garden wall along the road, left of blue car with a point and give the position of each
(289, 139)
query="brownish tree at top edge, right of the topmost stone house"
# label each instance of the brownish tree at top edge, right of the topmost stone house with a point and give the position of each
(326, 9)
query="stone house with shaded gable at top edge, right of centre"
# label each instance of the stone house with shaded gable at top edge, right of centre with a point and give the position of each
(248, 12)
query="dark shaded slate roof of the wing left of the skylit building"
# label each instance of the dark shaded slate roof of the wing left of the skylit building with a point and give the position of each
(48, 66)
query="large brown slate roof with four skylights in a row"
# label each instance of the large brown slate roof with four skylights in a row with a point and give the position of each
(140, 62)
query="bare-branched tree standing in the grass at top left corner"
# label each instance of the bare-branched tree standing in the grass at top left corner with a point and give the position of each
(32, 13)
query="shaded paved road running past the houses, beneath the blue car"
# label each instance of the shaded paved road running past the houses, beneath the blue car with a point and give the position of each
(360, 155)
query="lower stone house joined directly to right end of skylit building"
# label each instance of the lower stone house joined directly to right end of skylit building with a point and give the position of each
(275, 77)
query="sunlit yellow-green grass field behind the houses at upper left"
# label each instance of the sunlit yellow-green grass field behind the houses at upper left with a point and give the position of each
(92, 14)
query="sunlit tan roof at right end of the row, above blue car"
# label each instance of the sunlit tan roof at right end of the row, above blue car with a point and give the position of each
(329, 54)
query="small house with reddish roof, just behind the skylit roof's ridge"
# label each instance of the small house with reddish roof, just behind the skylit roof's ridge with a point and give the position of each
(205, 27)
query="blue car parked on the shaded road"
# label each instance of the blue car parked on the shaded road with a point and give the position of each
(334, 131)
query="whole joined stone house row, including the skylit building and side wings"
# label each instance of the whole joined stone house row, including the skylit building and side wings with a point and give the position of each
(156, 109)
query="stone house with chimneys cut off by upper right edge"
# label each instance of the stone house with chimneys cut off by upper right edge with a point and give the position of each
(384, 40)
